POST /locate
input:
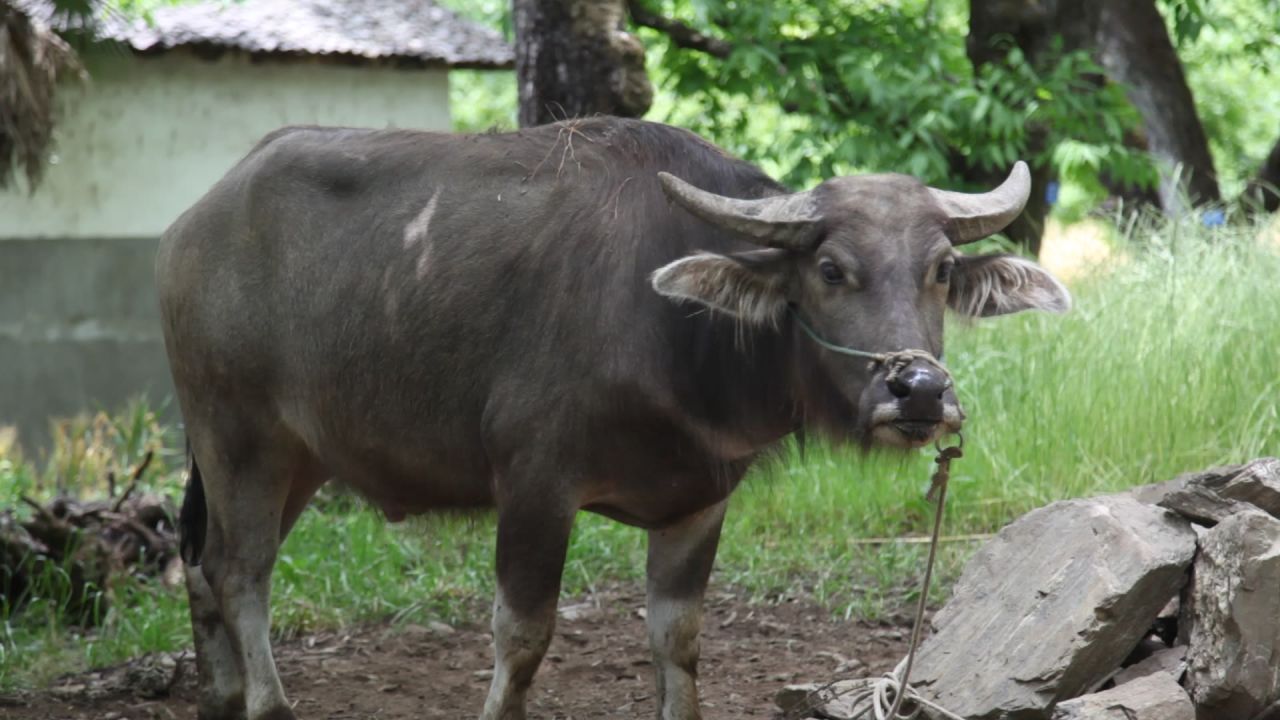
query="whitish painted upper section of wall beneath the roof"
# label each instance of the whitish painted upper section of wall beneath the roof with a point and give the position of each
(149, 136)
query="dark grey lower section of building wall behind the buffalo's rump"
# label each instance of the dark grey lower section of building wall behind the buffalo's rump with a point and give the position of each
(79, 331)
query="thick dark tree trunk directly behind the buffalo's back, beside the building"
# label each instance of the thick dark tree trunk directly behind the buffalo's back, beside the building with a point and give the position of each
(574, 58)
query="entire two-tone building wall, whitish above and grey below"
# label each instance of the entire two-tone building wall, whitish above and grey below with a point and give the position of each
(79, 323)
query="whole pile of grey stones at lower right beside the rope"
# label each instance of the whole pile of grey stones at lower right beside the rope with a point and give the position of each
(1158, 604)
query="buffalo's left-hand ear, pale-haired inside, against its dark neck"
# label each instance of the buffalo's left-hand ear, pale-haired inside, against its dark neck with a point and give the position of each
(749, 286)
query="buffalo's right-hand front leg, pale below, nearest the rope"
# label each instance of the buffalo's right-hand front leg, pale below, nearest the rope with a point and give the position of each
(680, 563)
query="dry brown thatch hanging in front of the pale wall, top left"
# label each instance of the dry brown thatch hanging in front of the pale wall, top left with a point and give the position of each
(33, 61)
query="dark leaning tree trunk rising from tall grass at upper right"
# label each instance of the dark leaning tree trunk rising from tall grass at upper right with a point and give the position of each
(1135, 48)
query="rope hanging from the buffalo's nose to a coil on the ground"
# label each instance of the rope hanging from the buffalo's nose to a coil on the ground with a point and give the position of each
(884, 699)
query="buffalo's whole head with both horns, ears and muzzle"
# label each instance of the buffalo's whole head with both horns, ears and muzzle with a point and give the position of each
(868, 263)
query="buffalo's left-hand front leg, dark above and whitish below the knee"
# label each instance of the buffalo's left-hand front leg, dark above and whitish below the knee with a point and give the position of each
(533, 539)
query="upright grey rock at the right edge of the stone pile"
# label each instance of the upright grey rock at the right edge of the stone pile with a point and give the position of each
(1235, 617)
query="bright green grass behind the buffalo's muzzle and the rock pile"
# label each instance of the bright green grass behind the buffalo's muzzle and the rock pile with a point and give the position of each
(1168, 363)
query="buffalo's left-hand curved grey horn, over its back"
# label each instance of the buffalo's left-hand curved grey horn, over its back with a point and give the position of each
(787, 222)
